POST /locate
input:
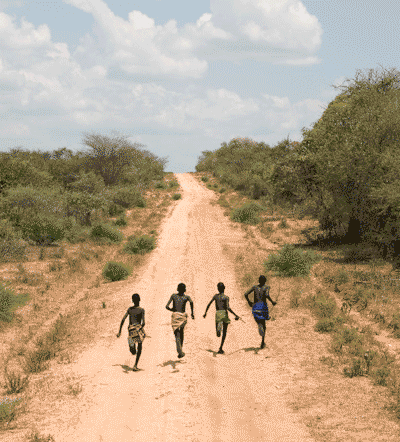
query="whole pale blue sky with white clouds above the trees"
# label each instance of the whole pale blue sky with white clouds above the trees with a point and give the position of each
(181, 77)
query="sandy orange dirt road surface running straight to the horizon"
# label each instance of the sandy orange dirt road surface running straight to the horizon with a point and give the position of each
(204, 396)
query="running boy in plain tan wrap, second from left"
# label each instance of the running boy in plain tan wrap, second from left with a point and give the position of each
(179, 316)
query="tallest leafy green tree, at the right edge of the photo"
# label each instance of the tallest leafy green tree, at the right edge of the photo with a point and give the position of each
(349, 147)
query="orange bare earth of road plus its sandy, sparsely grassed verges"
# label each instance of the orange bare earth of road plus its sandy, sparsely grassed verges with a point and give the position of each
(244, 395)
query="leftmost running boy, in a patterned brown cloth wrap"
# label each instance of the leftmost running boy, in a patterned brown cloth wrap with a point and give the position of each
(135, 329)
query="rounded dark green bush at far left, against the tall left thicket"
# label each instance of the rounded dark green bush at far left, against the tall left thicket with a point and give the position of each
(42, 229)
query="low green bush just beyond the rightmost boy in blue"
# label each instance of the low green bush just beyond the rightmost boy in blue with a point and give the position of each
(290, 261)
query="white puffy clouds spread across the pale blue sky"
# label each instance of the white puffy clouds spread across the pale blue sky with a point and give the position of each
(44, 84)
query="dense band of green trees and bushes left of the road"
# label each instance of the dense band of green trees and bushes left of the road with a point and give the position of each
(49, 196)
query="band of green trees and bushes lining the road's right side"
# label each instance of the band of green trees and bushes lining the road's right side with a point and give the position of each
(344, 172)
